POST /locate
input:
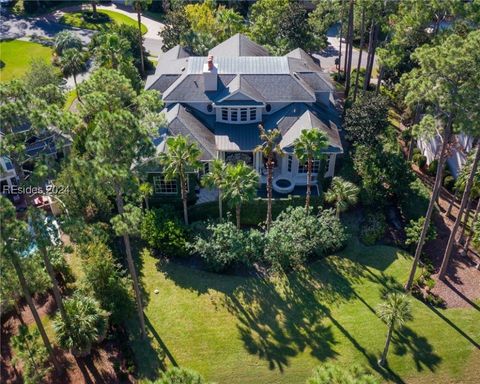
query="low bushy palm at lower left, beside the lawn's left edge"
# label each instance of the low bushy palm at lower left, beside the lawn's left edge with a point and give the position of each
(87, 324)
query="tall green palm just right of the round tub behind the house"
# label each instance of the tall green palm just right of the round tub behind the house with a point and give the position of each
(307, 147)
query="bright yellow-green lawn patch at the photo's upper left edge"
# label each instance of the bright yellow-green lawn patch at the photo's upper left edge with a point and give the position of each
(17, 55)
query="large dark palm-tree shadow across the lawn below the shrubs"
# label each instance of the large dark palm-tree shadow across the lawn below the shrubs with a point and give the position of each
(281, 317)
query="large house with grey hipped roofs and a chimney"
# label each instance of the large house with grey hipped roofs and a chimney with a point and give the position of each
(219, 101)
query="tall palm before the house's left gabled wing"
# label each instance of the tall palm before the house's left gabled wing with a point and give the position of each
(180, 158)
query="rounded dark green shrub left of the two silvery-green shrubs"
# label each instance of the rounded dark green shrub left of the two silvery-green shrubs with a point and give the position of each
(164, 232)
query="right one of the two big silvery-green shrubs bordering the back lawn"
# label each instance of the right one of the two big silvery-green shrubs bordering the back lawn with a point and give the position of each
(294, 236)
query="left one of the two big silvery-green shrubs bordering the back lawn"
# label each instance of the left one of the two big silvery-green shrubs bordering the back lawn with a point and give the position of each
(226, 245)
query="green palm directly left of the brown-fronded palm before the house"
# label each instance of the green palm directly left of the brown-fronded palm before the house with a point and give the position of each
(241, 182)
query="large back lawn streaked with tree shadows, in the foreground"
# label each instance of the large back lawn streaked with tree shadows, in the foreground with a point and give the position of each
(244, 330)
